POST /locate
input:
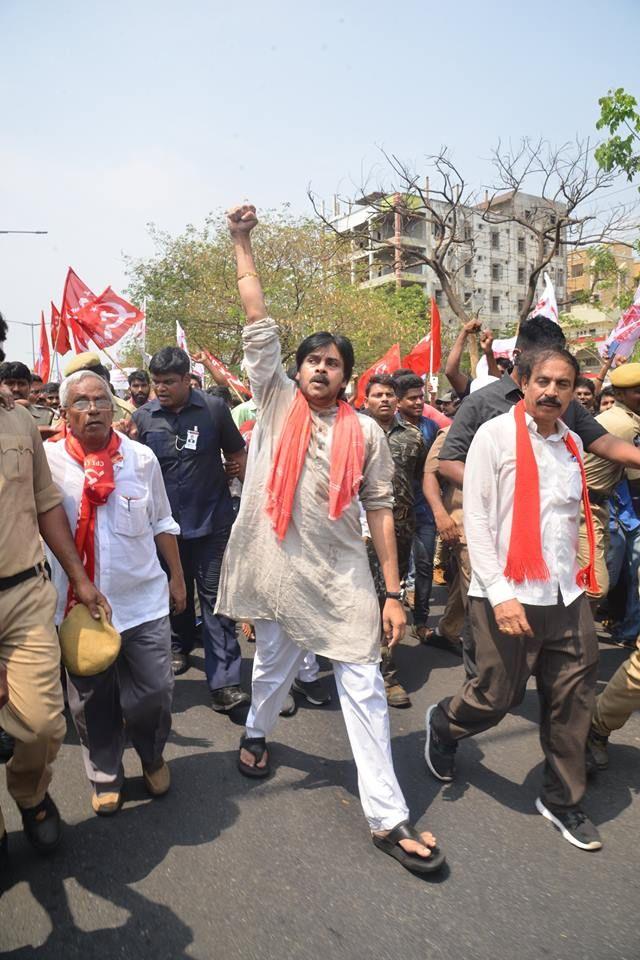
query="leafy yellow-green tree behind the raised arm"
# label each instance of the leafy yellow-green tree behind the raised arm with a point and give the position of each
(191, 279)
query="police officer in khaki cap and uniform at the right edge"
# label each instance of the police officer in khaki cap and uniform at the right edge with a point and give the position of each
(623, 421)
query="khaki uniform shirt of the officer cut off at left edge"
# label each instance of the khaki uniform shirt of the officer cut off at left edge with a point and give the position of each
(26, 489)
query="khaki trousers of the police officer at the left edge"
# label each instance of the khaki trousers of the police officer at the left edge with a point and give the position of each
(30, 651)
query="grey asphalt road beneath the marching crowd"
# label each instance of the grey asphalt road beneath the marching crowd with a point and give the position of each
(225, 868)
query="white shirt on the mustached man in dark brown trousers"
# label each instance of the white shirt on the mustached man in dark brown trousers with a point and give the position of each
(488, 493)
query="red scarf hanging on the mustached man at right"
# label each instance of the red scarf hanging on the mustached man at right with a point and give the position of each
(525, 560)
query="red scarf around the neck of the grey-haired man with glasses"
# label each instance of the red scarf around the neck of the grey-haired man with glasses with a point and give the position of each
(99, 484)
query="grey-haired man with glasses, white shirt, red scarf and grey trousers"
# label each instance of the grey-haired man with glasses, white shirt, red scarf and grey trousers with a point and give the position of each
(117, 506)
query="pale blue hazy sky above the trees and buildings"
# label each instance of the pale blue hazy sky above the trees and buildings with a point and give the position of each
(115, 114)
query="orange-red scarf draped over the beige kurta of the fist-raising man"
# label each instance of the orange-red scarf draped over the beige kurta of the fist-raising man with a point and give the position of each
(345, 473)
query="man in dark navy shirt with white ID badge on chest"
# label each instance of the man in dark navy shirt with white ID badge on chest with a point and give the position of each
(188, 430)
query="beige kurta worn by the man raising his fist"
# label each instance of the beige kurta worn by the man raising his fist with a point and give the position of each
(316, 583)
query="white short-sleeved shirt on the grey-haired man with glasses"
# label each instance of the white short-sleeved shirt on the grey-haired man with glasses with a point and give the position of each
(128, 571)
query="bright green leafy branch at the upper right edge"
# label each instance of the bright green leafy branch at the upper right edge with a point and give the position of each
(619, 112)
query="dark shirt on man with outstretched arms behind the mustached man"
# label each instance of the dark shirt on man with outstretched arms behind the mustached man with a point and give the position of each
(497, 398)
